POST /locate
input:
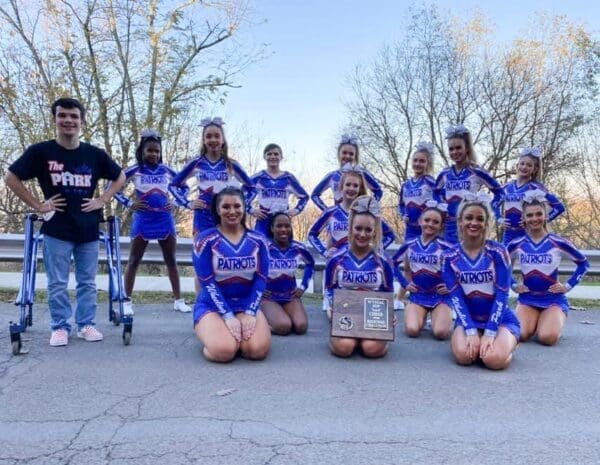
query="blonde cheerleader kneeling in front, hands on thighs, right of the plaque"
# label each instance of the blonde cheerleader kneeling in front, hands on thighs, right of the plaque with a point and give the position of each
(477, 274)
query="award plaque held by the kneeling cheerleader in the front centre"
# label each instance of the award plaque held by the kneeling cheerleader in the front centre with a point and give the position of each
(363, 314)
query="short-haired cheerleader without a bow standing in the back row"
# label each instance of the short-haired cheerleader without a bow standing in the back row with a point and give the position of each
(274, 187)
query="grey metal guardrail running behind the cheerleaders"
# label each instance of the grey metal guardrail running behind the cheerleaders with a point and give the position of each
(11, 250)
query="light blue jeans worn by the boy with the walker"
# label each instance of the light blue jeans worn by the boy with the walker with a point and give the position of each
(57, 260)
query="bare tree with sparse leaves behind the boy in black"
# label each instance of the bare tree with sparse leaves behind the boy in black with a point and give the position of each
(133, 63)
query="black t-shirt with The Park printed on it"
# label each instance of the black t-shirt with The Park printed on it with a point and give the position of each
(74, 175)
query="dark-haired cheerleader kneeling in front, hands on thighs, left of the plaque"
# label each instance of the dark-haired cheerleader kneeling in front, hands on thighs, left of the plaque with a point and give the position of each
(232, 265)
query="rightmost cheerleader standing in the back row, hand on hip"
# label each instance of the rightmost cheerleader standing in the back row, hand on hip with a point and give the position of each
(528, 173)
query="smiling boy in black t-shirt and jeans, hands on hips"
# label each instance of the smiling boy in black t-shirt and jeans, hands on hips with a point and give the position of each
(68, 172)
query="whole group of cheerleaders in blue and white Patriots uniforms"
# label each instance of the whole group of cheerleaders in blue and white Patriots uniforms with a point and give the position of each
(246, 279)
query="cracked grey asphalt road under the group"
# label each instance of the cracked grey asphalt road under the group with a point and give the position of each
(159, 402)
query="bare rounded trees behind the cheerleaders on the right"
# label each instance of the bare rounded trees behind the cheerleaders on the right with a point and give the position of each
(446, 70)
